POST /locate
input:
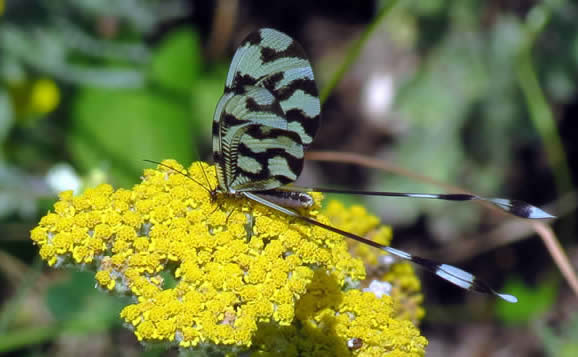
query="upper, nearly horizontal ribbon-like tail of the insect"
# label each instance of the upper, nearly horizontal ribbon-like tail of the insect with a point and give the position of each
(514, 207)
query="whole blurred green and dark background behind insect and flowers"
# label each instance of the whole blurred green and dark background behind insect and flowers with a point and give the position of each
(476, 94)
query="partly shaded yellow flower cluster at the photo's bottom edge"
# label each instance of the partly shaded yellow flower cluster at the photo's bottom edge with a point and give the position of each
(333, 322)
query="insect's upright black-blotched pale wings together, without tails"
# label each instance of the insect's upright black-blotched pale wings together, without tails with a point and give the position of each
(268, 114)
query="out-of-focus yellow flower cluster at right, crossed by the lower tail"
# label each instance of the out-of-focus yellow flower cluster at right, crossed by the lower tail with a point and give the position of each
(406, 287)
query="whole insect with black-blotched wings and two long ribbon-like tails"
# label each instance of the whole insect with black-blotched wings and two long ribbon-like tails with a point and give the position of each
(268, 115)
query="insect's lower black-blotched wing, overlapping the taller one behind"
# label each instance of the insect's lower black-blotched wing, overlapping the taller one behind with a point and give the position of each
(252, 146)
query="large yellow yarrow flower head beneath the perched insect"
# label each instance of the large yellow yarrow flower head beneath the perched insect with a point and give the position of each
(224, 273)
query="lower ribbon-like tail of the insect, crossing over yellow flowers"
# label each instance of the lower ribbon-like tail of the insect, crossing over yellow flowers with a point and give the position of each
(450, 273)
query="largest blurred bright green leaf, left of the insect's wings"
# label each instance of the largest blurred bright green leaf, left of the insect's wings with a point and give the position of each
(121, 128)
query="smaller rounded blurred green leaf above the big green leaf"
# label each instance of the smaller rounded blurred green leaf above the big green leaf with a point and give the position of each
(176, 64)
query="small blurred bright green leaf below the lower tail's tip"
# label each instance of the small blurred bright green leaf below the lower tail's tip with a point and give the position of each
(532, 301)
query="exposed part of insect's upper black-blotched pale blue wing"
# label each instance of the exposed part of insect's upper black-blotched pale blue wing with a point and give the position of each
(270, 59)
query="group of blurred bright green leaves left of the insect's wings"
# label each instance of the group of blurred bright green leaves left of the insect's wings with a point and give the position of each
(164, 119)
